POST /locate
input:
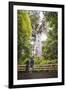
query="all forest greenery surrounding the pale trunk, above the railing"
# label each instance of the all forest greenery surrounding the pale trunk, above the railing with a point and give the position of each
(29, 25)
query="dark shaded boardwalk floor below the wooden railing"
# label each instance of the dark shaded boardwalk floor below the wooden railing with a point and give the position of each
(36, 75)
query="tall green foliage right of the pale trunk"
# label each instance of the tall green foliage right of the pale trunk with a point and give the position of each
(51, 45)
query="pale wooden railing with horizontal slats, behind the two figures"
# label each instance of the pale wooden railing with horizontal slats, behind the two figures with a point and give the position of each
(45, 67)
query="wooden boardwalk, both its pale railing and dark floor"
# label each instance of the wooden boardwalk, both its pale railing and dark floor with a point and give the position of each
(39, 71)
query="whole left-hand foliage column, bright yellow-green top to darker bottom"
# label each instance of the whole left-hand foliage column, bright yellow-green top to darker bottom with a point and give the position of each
(24, 35)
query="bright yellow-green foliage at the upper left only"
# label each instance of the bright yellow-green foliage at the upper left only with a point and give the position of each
(24, 23)
